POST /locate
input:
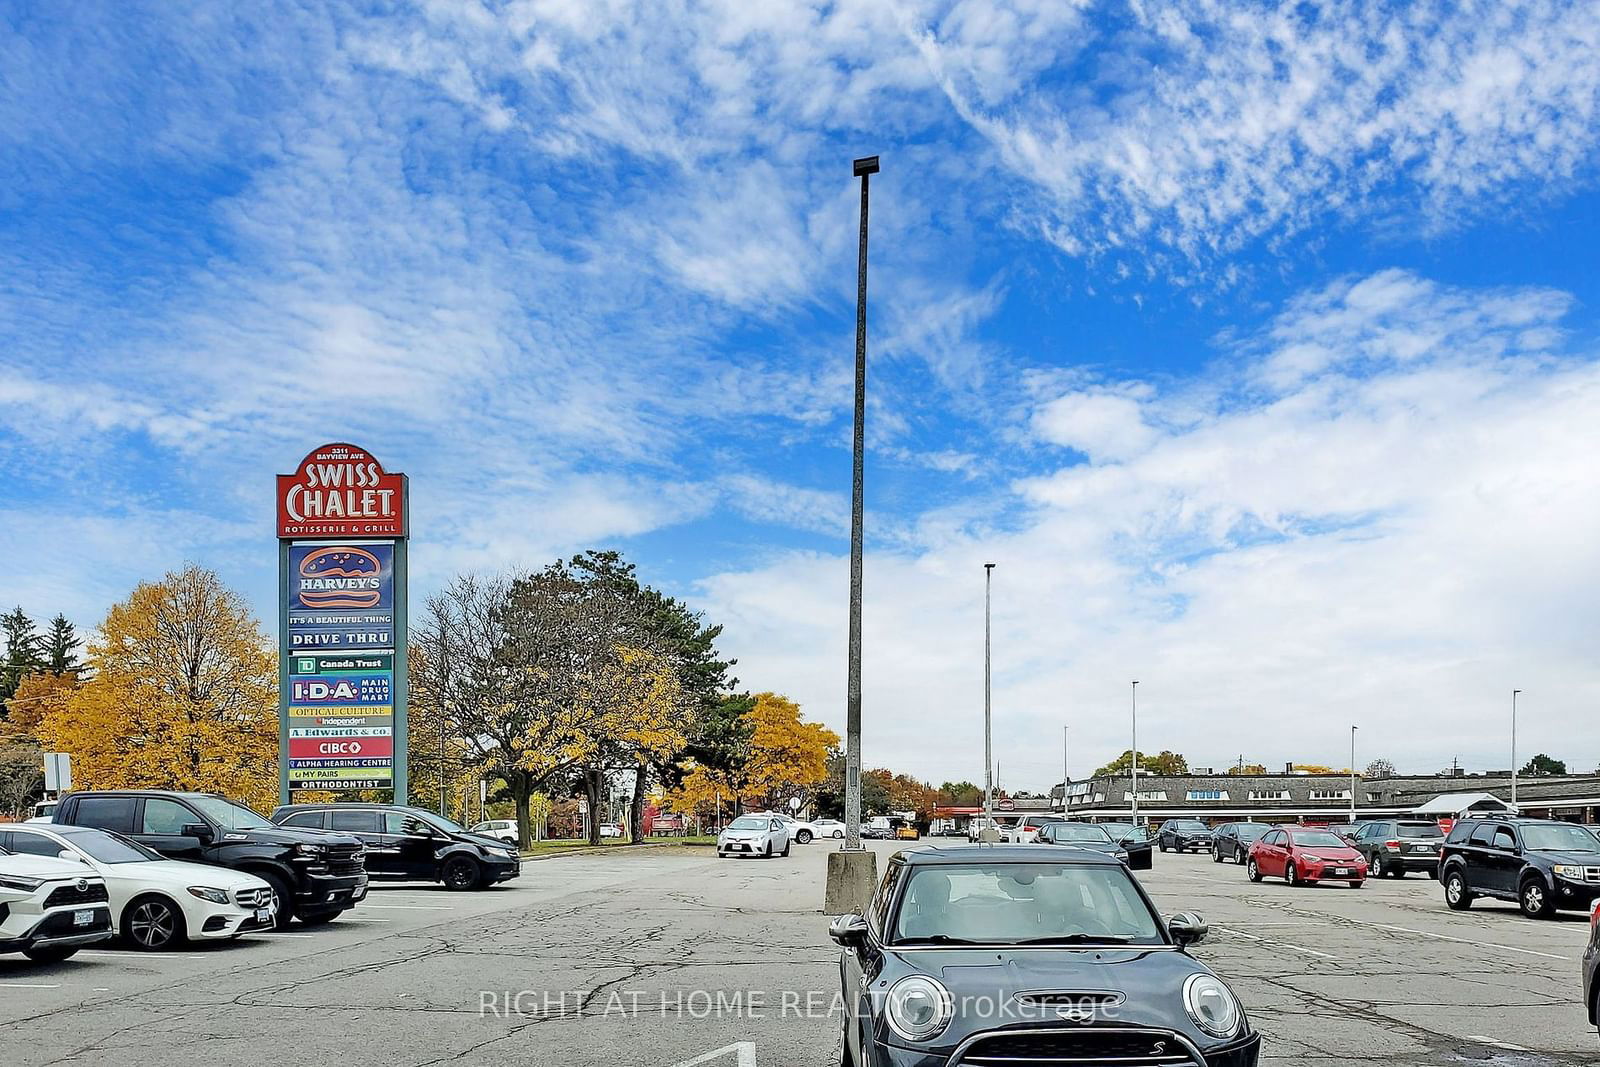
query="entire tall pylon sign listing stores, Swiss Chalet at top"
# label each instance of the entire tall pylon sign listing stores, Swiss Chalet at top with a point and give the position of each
(343, 524)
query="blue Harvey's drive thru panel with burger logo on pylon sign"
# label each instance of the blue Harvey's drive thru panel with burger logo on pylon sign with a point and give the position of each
(342, 596)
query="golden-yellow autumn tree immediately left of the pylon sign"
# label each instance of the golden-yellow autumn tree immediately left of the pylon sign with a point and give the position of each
(183, 695)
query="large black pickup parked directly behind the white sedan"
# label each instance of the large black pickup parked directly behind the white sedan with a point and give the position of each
(314, 876)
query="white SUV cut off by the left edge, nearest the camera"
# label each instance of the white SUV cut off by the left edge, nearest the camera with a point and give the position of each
(50, 908)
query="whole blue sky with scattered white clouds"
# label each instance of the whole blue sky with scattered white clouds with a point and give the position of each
(1255, 343)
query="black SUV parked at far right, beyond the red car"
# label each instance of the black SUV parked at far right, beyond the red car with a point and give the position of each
(1542, 865)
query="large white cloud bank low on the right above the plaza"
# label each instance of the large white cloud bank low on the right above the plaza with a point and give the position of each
(1394, 549)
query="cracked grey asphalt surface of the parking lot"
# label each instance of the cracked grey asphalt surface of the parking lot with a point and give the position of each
(668, 956)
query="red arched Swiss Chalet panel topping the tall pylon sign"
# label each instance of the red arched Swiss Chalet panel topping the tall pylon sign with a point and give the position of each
(342, 492)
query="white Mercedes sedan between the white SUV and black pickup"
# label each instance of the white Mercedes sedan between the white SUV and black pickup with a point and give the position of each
(156, 903)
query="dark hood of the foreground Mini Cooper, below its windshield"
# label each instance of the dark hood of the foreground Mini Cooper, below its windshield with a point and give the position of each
(1150, 981)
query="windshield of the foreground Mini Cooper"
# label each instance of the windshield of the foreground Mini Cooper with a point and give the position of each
(1025, 905)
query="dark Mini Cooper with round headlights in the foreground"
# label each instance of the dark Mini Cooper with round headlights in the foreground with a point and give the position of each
(1014, 956)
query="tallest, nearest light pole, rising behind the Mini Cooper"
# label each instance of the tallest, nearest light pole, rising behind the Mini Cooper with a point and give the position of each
(865, 169)
